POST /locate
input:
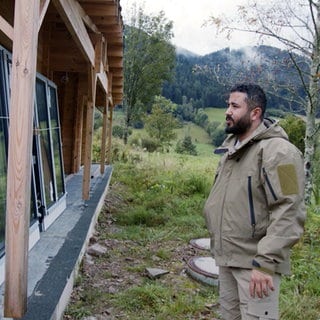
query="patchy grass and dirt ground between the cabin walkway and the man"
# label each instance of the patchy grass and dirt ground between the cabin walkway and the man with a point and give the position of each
(159, 212)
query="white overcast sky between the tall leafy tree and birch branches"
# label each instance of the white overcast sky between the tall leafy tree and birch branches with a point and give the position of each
(188, 17)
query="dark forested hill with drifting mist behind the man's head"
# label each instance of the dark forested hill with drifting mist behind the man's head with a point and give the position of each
(205, 79)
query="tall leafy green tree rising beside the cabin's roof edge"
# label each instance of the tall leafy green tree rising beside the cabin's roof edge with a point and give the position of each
(149, 60)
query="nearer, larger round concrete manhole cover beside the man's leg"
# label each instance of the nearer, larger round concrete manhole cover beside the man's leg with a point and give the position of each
(203, 269)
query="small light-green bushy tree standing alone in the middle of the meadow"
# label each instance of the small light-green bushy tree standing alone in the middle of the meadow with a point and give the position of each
(160, 124)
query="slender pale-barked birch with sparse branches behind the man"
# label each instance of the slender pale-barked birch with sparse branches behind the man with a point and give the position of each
(295, 24)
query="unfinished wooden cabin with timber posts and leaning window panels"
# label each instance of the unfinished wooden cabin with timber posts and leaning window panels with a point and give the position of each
(60, 61)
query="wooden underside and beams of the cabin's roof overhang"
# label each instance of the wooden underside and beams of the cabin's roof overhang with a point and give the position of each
(84, 19)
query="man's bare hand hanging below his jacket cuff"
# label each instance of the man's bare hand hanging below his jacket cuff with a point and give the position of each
(260, 283)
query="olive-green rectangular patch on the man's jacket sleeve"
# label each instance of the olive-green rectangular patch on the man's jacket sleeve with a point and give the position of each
(288, 179)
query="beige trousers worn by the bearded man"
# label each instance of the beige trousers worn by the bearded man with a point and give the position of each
(236, 302)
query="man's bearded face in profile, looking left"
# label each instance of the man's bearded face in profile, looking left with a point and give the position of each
(238, 116)
